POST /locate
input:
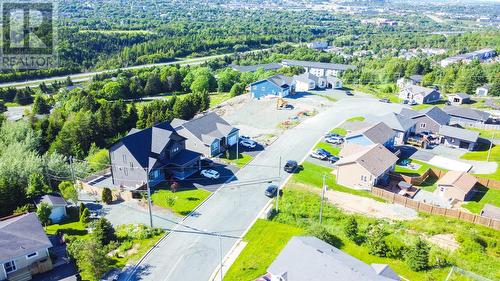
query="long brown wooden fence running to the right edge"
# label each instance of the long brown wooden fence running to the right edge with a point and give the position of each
(430, 209)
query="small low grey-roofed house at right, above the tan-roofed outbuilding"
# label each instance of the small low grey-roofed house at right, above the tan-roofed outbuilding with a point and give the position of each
(458, 137)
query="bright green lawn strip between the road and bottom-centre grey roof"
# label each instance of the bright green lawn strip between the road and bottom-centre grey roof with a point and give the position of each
(265, 241)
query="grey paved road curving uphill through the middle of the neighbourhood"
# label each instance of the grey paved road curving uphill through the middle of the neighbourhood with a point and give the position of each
(189, 254)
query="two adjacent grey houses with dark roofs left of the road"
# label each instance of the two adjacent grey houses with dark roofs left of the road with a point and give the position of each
(169, 150)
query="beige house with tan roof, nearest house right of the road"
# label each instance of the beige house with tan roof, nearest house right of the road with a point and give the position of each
(364, 167)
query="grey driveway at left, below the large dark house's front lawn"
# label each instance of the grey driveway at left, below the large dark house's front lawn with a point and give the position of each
(132, 212)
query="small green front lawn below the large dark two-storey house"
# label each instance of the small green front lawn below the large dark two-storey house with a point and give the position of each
(181, 202)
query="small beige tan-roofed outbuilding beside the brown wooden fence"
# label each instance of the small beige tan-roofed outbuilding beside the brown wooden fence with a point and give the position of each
(456, 185)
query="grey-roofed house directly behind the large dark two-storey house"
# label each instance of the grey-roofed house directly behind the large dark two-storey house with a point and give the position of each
(209, 134)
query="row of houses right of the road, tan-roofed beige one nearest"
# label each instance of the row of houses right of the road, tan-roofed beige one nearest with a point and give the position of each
(369, 155)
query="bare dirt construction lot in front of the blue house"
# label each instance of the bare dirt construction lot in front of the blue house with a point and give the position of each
(257, 118)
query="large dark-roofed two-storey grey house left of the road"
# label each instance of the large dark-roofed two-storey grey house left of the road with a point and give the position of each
(153, 154)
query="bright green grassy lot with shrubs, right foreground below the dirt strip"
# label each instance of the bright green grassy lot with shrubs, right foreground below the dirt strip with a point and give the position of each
(299, 211)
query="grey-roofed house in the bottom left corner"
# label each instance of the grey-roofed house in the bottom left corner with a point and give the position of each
(24, 248)
